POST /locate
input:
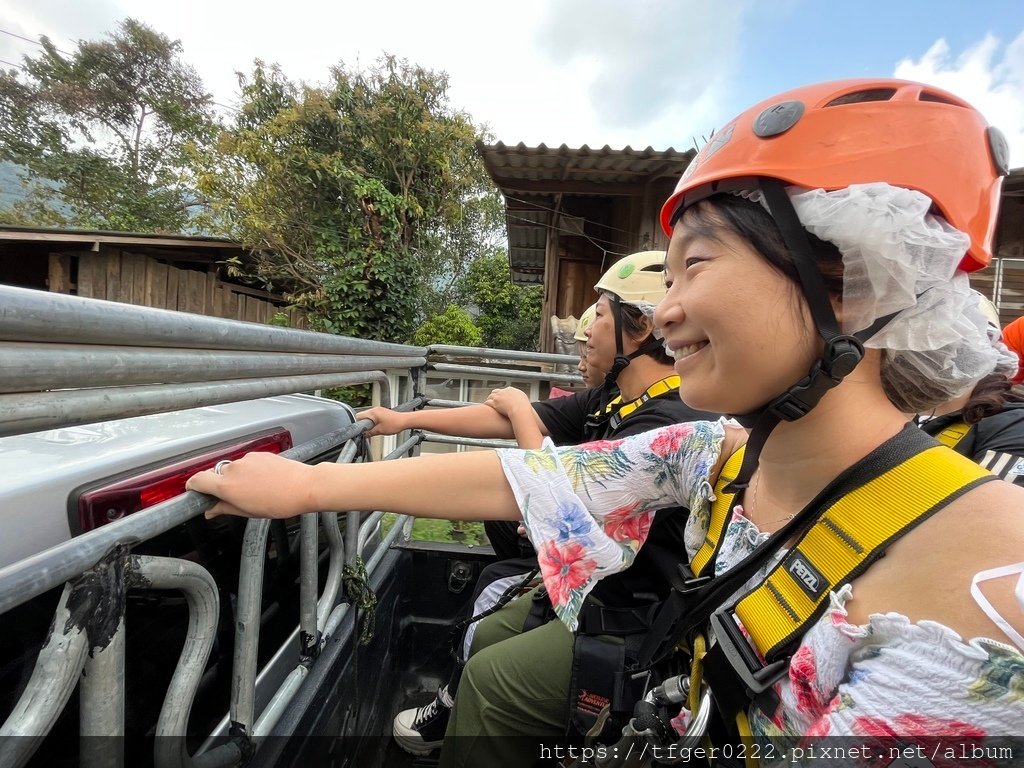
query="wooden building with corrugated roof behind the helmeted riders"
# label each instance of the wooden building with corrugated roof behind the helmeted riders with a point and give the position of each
(571, 214)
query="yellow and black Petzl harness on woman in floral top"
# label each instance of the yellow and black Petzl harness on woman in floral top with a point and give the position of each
(838, 540)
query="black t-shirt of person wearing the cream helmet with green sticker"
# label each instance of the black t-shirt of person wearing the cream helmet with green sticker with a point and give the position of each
(648, 579)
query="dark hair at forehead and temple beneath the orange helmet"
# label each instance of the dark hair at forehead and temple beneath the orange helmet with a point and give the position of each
(754, 225)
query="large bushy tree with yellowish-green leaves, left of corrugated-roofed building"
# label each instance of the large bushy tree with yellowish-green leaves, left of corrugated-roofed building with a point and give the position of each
(360, 198)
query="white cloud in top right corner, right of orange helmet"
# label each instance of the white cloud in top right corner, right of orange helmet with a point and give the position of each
(988, 75)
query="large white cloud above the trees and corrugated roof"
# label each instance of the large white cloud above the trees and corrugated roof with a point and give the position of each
(554, 71)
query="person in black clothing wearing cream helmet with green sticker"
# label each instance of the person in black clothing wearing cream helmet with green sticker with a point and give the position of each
(639, 394)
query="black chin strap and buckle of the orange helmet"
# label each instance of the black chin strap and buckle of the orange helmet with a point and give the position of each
(841, 355)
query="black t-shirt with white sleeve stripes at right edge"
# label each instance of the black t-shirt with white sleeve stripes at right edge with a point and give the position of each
(997, 443)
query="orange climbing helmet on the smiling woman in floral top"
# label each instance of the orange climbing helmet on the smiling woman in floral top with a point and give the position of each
(832, 136)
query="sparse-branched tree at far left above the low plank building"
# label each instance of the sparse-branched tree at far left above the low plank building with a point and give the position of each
(113, 126)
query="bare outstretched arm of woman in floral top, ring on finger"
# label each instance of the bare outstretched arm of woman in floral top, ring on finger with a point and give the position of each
(456, 487)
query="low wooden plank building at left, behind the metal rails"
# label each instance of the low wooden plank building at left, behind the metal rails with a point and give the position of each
(186, 274)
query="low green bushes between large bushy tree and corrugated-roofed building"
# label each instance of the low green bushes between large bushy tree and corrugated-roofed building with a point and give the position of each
(509, 317)
